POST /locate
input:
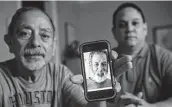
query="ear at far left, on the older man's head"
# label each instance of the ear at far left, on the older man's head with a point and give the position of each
(9, 42)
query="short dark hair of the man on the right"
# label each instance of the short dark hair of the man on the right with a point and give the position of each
(125, 5)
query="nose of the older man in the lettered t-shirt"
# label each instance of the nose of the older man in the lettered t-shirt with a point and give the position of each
(35, 41)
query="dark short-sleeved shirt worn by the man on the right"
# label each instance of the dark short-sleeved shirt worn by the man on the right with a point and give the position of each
(151, 74)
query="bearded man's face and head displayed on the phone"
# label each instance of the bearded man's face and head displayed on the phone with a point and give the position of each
(99, 66)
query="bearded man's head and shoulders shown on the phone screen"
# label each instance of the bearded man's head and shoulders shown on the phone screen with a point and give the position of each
(99, 70)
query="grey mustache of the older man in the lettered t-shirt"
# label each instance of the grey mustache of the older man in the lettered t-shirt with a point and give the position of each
(33, 51)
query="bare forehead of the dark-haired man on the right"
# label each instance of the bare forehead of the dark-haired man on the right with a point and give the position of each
(129, 13)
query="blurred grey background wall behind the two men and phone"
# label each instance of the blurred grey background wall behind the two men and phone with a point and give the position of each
(81, 21)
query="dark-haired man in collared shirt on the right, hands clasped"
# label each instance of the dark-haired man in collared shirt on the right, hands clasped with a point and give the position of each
(149, 82)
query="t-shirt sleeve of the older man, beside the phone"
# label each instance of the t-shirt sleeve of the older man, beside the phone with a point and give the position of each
(73, 94)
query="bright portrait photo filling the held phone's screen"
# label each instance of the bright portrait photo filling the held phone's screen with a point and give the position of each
(97, 70)
